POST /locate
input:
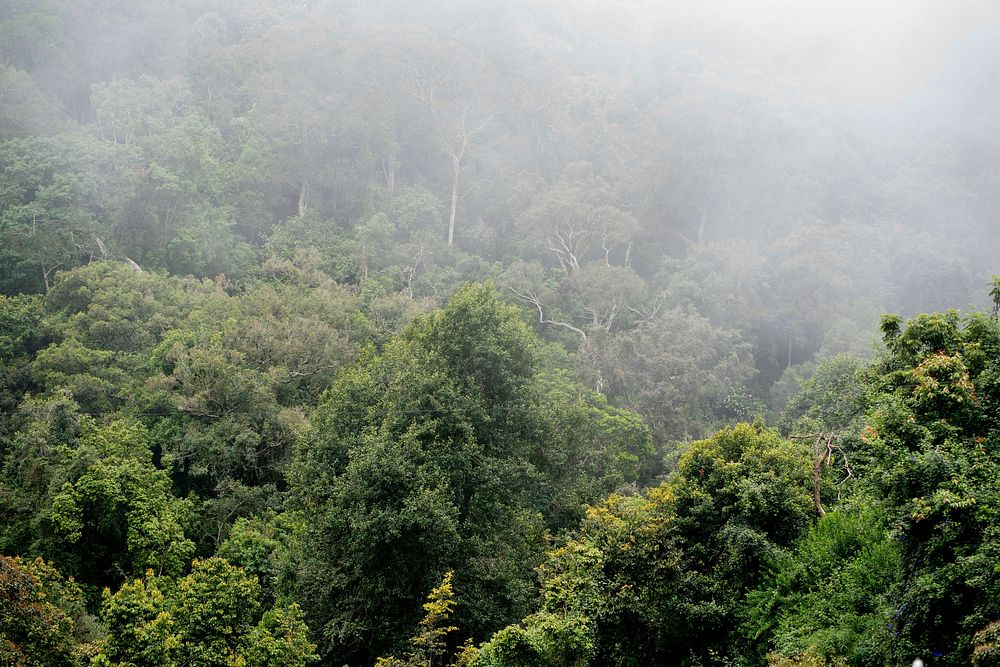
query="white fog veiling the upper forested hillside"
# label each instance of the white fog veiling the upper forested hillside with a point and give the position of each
(777, 173)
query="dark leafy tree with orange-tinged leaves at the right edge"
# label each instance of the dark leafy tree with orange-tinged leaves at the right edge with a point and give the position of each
(932, 424)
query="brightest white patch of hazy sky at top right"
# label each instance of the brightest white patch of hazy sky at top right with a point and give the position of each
(856, 51)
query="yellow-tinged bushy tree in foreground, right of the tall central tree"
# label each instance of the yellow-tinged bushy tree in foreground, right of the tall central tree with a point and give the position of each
(661, 578)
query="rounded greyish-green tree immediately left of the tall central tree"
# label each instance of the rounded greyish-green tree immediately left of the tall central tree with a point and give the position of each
(229, 388)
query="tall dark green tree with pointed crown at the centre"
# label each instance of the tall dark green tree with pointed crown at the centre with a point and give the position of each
(417, 451)
